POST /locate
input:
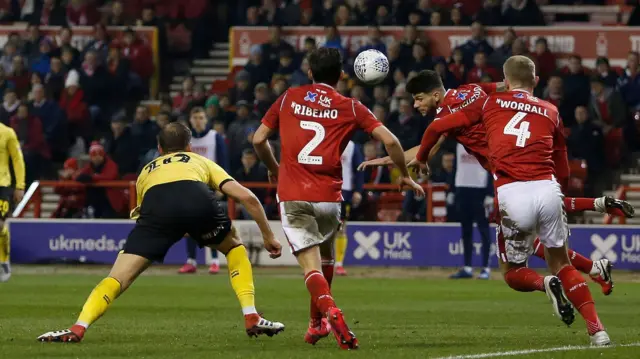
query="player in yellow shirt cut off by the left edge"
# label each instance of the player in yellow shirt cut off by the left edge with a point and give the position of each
(9, 149)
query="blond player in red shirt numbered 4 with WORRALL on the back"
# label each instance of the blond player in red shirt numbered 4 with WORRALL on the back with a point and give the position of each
(526, 143)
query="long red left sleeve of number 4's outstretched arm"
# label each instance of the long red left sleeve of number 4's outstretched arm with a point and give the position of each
(466, 117)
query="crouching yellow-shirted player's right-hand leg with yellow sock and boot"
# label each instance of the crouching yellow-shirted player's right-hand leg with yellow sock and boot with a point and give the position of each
(241, 277)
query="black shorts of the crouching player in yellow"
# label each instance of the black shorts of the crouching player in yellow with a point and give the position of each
(170, 210)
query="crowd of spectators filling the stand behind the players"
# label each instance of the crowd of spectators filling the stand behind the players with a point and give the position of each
(65, 101)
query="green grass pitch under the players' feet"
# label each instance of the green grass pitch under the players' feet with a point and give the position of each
(165, 315)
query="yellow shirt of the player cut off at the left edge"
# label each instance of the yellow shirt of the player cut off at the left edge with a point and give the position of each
(10, 147)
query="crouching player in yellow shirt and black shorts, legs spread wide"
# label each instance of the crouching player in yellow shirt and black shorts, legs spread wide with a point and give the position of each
(176, 196)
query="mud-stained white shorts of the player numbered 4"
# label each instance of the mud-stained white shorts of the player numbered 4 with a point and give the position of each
(529, 210)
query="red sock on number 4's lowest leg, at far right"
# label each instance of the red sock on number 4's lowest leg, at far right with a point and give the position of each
(578, 293)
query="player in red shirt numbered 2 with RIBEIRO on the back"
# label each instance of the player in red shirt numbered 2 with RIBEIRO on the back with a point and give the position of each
(315, 124)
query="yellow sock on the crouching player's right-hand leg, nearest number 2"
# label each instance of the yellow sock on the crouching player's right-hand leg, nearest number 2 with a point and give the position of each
(241, 276)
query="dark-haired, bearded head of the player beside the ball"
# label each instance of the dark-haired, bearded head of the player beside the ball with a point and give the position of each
(427, 90)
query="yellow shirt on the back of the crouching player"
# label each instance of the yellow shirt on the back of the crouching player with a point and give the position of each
(178, 166)
